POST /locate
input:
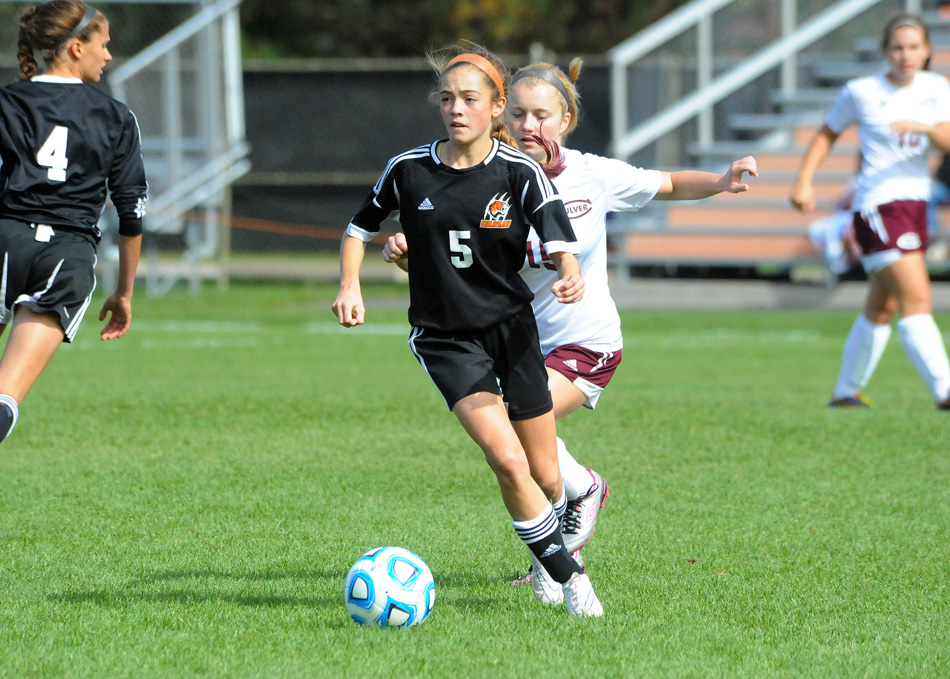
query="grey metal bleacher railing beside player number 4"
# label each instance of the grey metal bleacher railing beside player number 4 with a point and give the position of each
(188, 84)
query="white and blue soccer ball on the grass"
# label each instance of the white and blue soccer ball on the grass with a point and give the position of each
(389, 587)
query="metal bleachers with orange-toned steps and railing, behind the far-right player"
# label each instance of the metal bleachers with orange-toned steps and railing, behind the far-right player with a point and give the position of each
(798, 80)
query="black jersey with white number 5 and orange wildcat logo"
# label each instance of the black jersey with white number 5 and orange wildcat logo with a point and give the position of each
(466, 231)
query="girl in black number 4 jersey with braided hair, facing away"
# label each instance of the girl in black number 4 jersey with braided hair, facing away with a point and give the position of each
(63, 146)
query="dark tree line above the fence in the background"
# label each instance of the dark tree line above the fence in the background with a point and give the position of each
(401, 28)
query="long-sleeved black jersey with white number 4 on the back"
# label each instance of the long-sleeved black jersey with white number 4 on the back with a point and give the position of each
(63, 145)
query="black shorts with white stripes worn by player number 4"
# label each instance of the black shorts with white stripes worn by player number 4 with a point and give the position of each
(48, 270)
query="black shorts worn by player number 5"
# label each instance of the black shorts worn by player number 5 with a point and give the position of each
(503, 359)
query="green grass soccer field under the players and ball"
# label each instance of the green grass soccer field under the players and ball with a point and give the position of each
(187, 501)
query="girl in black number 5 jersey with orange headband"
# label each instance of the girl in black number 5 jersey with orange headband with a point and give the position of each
(466, 204)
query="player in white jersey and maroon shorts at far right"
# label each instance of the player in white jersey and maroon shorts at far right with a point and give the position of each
(901, 115)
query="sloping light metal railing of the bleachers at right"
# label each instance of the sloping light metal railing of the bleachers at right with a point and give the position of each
(699, 15)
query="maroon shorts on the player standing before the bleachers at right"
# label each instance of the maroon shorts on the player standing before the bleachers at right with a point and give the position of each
(901, 225)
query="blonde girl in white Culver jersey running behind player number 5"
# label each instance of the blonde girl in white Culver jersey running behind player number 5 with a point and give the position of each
(582, 342)
